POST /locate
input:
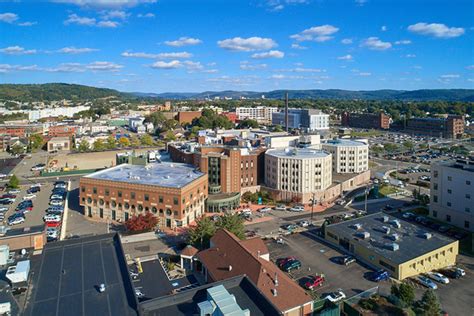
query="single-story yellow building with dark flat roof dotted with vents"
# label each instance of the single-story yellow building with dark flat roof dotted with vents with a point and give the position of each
(400, 247)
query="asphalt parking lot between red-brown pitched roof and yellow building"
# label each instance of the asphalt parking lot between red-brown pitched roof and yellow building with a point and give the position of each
(317, 258)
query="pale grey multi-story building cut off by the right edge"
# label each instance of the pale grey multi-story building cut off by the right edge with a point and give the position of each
(452, 193)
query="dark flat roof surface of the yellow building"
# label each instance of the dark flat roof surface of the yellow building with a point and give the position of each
(411, 242)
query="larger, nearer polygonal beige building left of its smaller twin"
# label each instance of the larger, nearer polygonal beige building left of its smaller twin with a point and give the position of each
(297, 171)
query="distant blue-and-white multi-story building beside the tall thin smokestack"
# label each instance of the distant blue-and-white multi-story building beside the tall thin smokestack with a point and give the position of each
(307, 119)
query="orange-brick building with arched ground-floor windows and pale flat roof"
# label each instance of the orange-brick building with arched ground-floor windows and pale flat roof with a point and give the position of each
(174, 192)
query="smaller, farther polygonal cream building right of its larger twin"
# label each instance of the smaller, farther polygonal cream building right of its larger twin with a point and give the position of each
(348, 156)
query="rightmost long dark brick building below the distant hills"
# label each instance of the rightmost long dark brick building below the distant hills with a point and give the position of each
(451, 126)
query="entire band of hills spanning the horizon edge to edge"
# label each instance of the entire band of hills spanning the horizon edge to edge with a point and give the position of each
(59, 91)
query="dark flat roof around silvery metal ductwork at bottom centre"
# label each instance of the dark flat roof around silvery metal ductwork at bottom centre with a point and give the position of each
(246, 294)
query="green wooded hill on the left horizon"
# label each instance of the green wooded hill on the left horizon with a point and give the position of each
(54, 92)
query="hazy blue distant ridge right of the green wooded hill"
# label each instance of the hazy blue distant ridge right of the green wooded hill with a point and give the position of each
(403, 95)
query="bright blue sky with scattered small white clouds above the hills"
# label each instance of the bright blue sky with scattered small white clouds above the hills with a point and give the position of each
(259, 45)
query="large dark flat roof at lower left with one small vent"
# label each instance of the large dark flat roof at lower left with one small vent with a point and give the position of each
(66, 276)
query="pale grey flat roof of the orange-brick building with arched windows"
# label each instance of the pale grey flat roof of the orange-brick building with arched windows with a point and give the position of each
(163, 174)
